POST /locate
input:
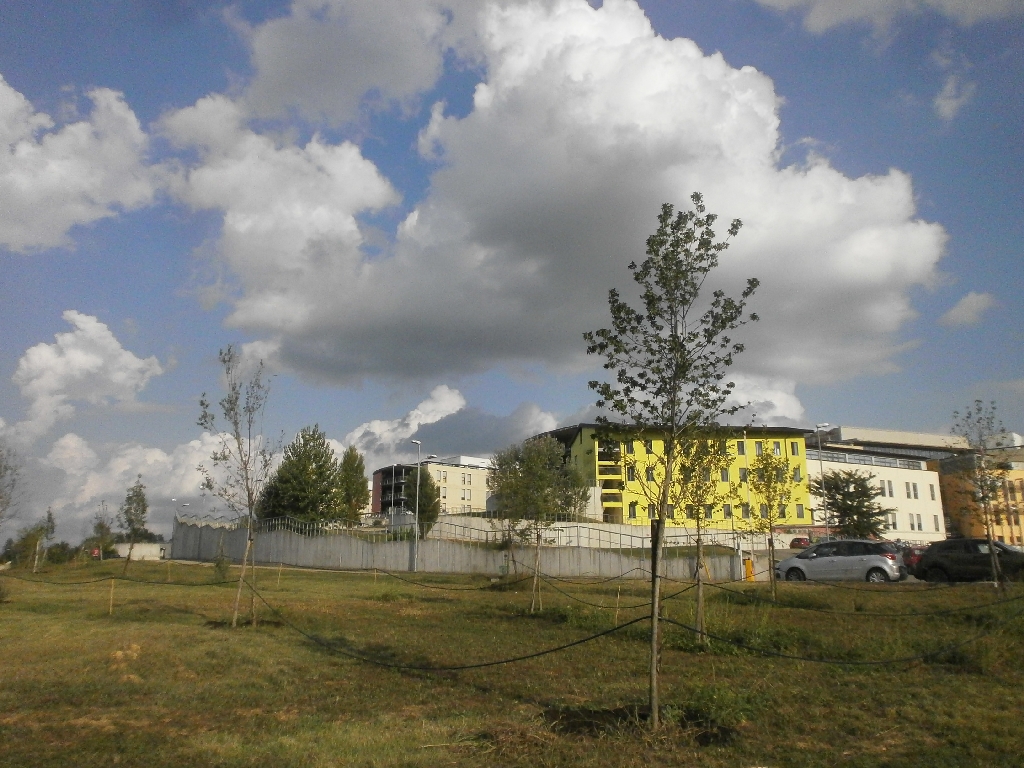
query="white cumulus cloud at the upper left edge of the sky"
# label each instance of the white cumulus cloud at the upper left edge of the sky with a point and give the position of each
(53, 179)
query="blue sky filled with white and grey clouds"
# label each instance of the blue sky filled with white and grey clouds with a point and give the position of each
(412, 210)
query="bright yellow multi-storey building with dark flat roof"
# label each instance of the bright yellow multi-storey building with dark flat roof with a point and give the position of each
(621, 474)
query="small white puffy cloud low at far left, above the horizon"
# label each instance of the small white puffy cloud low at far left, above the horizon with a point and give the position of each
(88, 365)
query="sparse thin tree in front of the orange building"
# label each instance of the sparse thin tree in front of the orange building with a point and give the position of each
(986, 472)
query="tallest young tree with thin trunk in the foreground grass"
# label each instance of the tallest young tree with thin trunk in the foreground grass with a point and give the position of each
(670, 359)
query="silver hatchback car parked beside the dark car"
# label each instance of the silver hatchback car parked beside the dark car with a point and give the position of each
(851, 560)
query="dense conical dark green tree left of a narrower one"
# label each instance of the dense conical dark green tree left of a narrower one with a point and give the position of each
(308, 484)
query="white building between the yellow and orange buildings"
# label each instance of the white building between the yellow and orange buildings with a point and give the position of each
(905, 484)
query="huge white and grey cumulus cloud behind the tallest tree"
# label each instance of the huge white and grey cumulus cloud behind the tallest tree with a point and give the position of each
(584, 123)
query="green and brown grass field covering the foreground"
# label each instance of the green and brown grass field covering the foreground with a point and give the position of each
(165, 682)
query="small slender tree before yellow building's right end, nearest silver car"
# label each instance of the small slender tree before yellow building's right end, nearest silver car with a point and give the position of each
(773, 480)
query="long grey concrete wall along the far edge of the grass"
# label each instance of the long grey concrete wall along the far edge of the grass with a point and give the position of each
(342, 551)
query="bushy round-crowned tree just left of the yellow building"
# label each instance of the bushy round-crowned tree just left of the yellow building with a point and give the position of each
(533, 488)
